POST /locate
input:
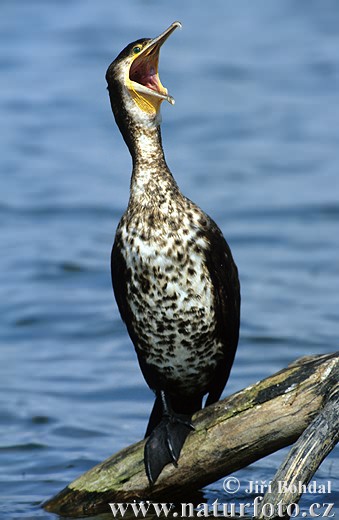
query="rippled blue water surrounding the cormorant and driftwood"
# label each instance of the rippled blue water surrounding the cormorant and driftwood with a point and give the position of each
(253, 139)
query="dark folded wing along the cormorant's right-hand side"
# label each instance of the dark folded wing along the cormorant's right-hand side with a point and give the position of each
(224, 275)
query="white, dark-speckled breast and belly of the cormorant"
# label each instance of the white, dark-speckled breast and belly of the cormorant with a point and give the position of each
(171, 298)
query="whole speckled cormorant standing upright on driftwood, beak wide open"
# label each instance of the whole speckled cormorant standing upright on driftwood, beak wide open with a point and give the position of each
(174, 278)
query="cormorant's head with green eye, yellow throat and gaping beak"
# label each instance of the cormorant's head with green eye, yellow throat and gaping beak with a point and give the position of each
(133, 77)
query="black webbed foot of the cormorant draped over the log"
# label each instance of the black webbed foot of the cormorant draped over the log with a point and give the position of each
(165, 442)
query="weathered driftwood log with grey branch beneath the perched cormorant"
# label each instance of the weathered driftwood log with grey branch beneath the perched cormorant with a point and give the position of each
(299, 401)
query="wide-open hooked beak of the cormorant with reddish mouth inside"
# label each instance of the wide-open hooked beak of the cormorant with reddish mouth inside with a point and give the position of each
(143, 72)
